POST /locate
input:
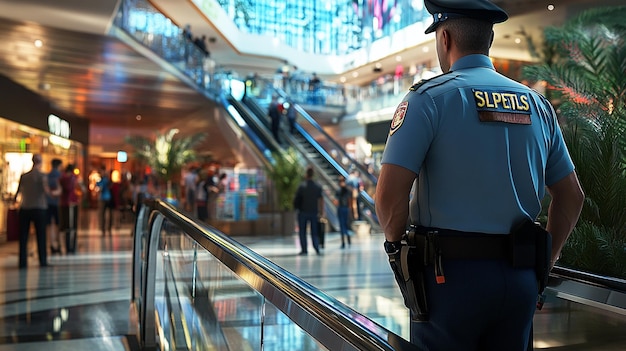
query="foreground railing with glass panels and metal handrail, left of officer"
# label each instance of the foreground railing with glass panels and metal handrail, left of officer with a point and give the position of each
(214, 293)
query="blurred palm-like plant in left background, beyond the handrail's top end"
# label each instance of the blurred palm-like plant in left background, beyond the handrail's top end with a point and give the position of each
(166, 155)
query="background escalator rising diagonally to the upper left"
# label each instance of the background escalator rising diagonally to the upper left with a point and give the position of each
(249, 116)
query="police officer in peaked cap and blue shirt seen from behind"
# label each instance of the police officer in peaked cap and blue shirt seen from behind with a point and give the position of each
(481, 148)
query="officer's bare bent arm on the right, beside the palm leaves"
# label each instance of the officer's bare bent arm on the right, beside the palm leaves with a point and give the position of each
(564, 210)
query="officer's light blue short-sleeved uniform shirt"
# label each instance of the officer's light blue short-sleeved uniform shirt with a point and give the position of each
(484, 148)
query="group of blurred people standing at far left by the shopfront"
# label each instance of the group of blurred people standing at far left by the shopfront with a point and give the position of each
(51, 203)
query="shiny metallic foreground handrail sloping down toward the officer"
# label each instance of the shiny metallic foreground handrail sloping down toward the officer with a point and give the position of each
(323, 317)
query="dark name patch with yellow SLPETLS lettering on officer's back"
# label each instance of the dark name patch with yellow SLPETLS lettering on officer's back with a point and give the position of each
(502, 106)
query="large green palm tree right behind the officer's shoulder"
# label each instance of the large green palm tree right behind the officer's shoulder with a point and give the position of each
(586, 71)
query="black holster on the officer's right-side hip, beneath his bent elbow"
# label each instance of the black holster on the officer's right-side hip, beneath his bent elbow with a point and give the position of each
(531, 247)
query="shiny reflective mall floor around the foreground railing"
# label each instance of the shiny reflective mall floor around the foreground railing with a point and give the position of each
(81, 302)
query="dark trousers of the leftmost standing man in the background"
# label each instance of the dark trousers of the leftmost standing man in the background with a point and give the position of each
(38, 218)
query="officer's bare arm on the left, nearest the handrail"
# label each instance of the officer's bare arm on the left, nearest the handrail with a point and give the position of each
(392, 199)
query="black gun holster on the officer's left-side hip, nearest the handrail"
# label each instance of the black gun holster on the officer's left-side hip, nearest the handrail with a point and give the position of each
(408, 269)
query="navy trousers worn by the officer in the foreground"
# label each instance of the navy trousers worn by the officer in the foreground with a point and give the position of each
(483, 305)
